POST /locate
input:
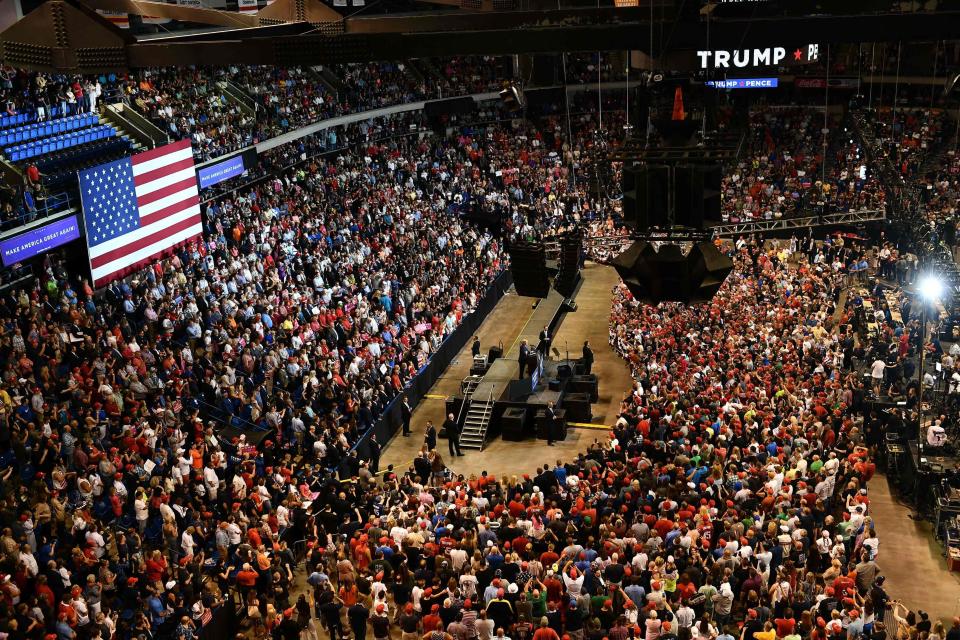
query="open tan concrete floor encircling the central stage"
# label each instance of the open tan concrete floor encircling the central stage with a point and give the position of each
(505, 323)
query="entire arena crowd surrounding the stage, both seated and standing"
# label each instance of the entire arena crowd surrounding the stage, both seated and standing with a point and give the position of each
(729, 499)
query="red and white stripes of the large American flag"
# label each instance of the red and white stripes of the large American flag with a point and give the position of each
(168, 202)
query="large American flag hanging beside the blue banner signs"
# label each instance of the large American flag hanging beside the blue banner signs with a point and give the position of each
(139, 208)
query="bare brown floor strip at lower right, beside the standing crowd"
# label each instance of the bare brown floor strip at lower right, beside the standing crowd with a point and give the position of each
(910, 557)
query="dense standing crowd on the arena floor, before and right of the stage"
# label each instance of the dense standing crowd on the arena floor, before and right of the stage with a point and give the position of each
(729, 500)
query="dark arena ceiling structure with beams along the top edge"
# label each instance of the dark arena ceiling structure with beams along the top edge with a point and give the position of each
(68, 35)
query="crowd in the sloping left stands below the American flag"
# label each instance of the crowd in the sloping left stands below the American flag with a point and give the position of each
(311, 303)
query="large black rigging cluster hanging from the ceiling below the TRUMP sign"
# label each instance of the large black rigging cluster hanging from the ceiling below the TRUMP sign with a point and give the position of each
(671, 196)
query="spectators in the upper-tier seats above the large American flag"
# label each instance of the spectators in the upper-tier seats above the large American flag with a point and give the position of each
(192, 102)
